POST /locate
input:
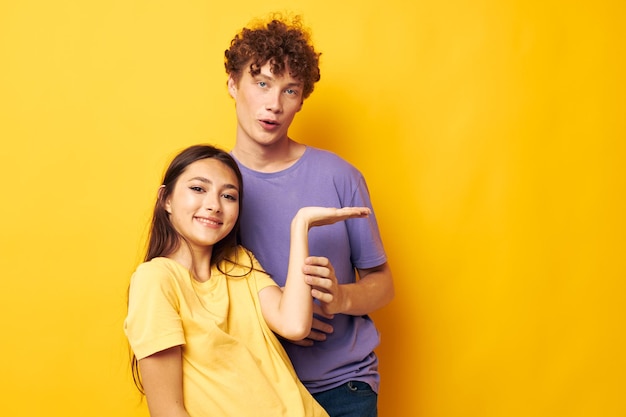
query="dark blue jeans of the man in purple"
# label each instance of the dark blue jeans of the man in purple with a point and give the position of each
(352, 399)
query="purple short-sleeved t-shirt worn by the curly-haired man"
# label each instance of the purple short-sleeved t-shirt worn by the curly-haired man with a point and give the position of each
(270, 200)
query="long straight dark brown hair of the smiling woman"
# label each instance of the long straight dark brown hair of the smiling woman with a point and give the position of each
(163, 238)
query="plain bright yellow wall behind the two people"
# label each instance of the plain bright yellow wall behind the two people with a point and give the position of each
(492, 135)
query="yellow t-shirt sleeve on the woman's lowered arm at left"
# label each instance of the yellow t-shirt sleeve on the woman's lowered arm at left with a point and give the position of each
(153, 322)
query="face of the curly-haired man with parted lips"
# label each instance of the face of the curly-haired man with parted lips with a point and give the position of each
(266, 105)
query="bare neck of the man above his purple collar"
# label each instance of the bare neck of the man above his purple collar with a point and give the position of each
(273, 158)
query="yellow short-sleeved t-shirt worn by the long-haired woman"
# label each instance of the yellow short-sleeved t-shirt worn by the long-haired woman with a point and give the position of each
(233, 364)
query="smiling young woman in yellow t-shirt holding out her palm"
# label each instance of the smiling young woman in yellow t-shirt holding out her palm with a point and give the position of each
(202, 313)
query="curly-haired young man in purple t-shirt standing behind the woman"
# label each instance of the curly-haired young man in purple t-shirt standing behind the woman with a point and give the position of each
(272, 67)
